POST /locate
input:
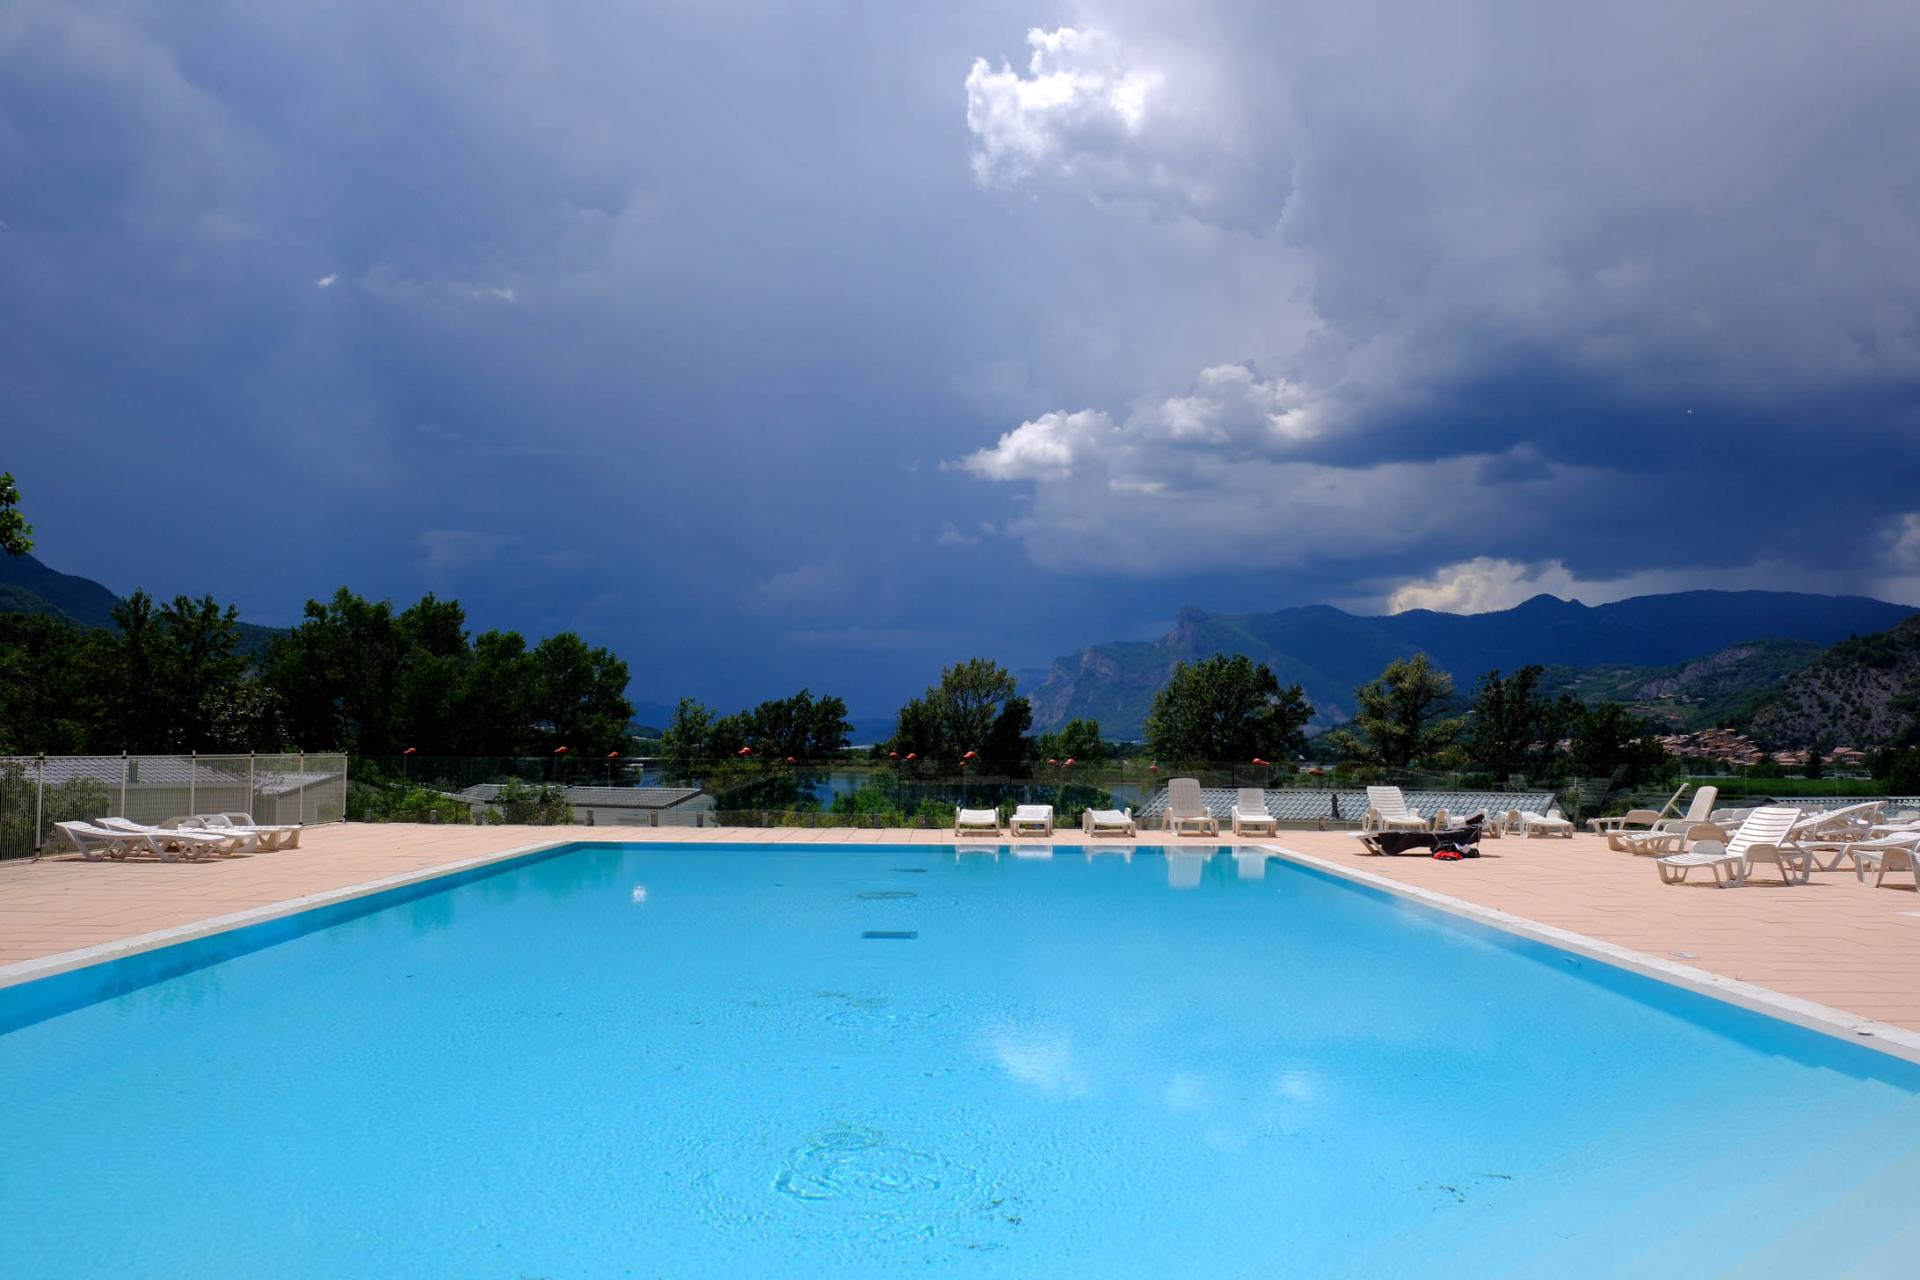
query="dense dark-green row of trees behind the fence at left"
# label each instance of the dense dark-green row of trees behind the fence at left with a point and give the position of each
(354, 676)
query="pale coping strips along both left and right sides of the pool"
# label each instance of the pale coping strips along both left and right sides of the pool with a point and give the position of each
(1798, 1010)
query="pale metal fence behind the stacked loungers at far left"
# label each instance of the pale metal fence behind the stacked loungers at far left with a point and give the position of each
(37, 792)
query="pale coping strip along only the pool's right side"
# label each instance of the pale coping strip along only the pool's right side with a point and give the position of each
(1812, 1014)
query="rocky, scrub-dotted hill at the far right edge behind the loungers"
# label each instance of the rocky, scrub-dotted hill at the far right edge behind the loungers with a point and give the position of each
(1861, 692)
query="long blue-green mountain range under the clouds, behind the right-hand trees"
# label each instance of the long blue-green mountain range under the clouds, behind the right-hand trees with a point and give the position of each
(1330, 652)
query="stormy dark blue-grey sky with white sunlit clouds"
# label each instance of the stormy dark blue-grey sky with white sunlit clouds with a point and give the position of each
(828, 343)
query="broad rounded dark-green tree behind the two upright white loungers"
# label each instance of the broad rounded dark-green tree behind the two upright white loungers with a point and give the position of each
(1226, 709)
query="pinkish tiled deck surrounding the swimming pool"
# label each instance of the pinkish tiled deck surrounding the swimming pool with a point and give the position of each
(1833, 943)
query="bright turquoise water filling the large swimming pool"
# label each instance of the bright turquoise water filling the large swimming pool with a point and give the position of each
(867, 1062)
